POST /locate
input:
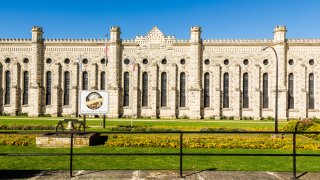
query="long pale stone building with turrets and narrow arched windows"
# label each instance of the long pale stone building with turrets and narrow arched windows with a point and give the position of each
(160, 76)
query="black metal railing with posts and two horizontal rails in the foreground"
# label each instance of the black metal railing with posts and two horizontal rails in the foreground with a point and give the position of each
(294, 154)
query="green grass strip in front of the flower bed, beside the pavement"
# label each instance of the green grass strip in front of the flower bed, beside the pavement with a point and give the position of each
(154, 162)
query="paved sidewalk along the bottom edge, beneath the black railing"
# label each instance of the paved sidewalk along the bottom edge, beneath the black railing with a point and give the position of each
(153, 174)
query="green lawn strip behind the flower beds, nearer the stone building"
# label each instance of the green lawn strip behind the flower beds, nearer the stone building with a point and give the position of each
(183, 124)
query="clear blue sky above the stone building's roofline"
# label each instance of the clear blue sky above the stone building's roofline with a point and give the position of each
(218, 18)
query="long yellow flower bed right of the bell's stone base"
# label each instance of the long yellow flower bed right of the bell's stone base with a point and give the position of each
(207, 141)
